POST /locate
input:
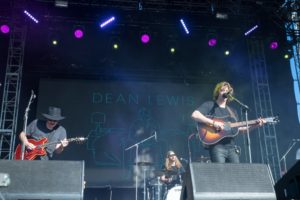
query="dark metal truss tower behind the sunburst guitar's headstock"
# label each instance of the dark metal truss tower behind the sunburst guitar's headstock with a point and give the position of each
(267, 137)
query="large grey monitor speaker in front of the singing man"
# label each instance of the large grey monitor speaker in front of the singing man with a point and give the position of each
(215, 181)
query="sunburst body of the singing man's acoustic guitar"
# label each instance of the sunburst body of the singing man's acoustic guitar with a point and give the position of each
(210, 135)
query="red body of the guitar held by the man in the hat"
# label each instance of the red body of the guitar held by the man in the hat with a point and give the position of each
(31, 154)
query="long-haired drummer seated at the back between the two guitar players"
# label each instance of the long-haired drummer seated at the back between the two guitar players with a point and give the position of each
(173, 170)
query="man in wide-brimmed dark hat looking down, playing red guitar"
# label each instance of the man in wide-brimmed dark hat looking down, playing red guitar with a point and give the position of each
(47, 128)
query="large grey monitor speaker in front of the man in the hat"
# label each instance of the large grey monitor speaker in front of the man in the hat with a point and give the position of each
(37, 179)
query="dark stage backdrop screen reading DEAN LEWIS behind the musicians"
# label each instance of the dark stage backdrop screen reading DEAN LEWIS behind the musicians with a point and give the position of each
(115, 115)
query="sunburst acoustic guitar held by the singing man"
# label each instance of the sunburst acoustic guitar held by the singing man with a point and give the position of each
(209, 135)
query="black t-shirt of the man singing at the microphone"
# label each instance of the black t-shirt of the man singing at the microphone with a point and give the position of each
(212, 110)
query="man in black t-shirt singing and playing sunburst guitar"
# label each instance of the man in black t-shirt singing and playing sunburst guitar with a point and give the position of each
(224, 150)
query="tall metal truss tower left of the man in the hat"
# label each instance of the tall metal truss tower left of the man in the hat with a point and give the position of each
(11, 90)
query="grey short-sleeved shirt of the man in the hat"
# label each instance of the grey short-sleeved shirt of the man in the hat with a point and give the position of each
(37, 129)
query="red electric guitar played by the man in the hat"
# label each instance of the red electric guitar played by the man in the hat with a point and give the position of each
(40, 148)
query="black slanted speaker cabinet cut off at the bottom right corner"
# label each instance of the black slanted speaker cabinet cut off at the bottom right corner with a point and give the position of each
(288, 187)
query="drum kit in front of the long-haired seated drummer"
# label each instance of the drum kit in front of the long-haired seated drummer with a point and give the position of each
(154, 189)
